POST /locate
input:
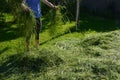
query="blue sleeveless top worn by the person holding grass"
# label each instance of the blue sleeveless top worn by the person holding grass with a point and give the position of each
(35, 6)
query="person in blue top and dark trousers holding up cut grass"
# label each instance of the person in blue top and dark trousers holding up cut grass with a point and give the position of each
(34, 5)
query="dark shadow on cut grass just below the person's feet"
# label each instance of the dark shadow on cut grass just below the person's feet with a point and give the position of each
(28, 62)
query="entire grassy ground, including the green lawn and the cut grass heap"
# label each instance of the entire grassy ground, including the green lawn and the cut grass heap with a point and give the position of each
(91, 54)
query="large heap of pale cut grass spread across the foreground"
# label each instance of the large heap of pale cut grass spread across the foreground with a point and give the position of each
(89, 56)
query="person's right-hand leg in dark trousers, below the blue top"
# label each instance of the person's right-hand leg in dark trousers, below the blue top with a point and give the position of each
(37, 31)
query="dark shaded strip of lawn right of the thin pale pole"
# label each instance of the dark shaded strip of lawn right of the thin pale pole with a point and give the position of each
(98, 24)
